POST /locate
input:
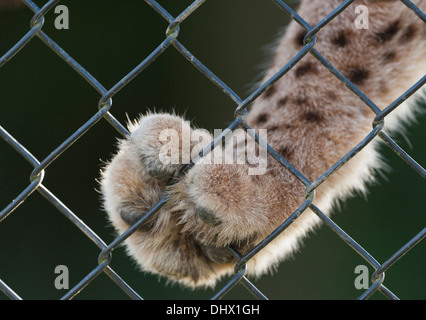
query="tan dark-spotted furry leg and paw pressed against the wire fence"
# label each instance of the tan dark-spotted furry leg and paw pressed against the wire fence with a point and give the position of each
(312, 121)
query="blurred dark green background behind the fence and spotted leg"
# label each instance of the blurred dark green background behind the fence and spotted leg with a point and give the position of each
(43, 101)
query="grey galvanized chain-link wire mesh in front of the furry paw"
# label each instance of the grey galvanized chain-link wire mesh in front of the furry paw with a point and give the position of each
(104, 106)
